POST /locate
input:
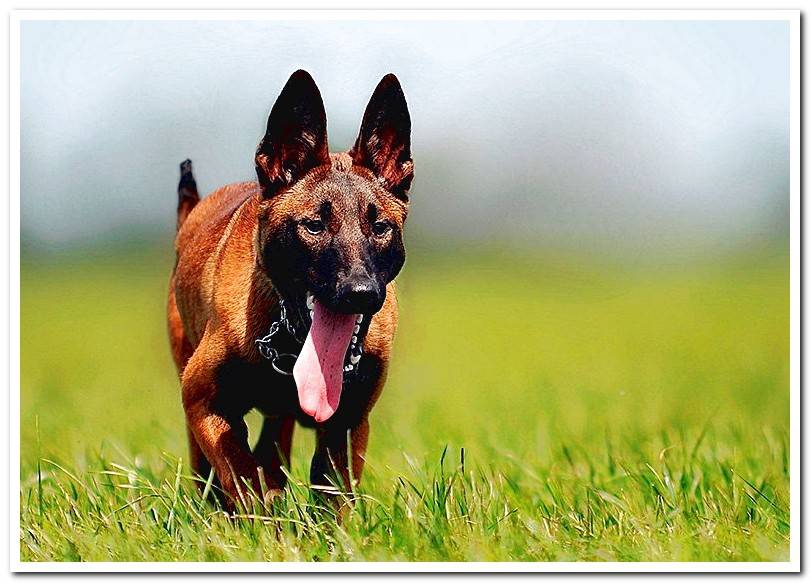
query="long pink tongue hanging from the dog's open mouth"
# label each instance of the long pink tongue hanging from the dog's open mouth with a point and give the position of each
(319, 369)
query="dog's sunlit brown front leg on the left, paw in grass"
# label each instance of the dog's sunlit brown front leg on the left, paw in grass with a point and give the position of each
(222, 435)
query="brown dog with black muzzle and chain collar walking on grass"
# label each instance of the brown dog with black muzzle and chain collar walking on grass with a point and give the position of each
(298, 266)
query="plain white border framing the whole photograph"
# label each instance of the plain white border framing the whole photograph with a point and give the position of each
(790, 16)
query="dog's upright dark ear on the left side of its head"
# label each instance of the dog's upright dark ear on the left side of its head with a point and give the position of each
(296, 138)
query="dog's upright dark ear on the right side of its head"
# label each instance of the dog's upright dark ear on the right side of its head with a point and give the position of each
(384, 142)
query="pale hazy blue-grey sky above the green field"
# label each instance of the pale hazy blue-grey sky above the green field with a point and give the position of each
(667, 133)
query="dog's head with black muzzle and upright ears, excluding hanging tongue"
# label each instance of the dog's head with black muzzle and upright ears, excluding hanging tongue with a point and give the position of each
(330, 234)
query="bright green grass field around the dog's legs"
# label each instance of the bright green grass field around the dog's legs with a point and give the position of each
(538, 409)
